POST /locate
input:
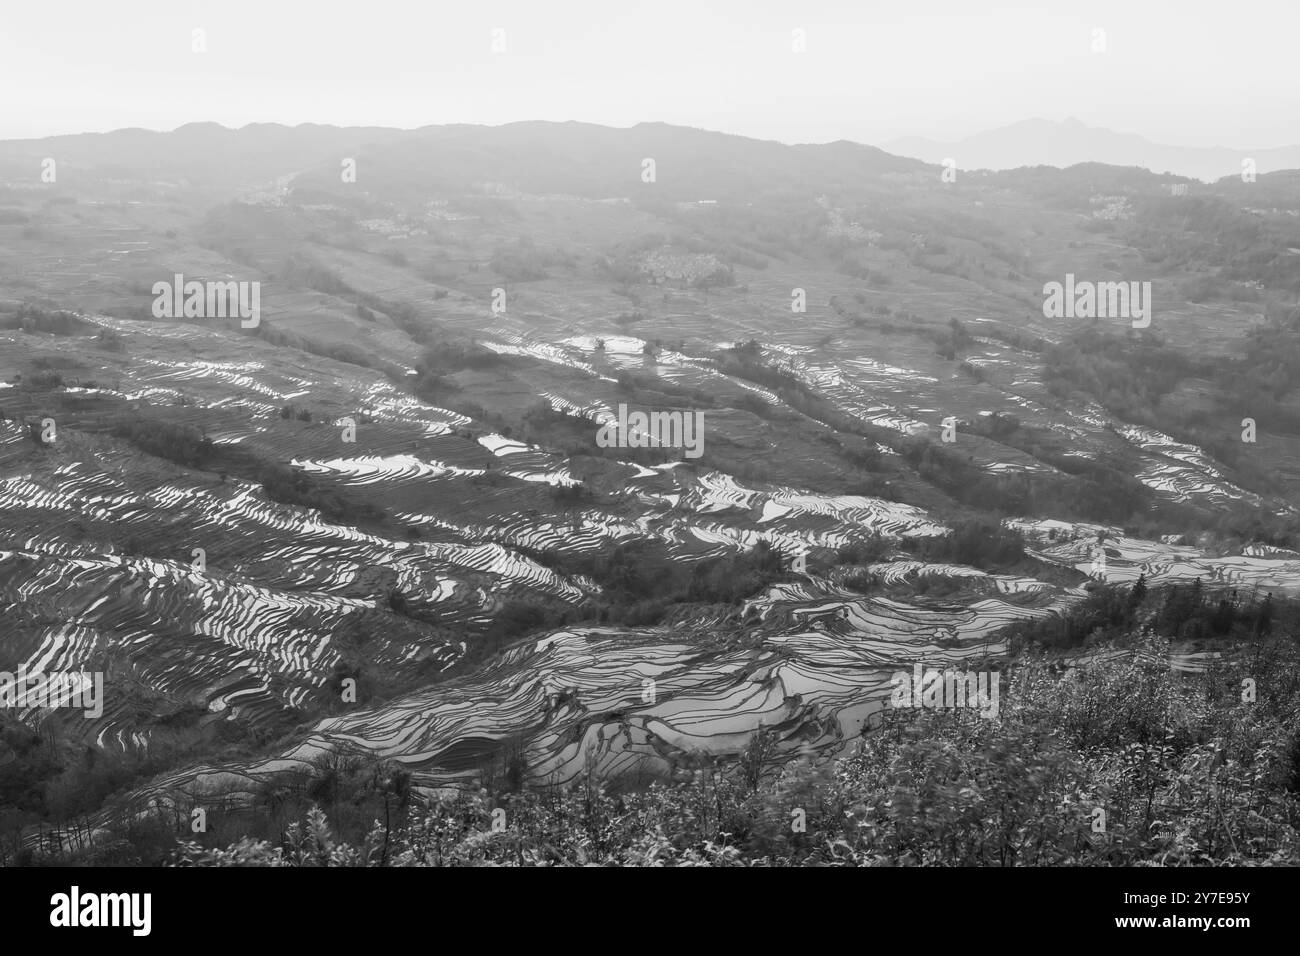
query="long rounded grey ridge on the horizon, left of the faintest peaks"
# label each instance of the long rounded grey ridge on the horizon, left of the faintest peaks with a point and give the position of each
(570, 158)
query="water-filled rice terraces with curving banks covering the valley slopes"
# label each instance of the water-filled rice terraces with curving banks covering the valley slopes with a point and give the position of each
(382, 524)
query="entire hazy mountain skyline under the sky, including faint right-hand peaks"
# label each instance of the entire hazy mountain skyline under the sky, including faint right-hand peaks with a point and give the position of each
(595, 161)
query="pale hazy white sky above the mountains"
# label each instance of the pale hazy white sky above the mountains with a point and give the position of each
(1188, 73)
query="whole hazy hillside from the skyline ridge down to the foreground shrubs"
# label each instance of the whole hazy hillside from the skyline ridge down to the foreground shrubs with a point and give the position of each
(376, 522)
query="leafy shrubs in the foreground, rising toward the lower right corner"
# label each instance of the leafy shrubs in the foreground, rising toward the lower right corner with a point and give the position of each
(1184, 771)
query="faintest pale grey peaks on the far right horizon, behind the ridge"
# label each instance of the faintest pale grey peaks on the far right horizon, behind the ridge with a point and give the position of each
(1043, 142)
